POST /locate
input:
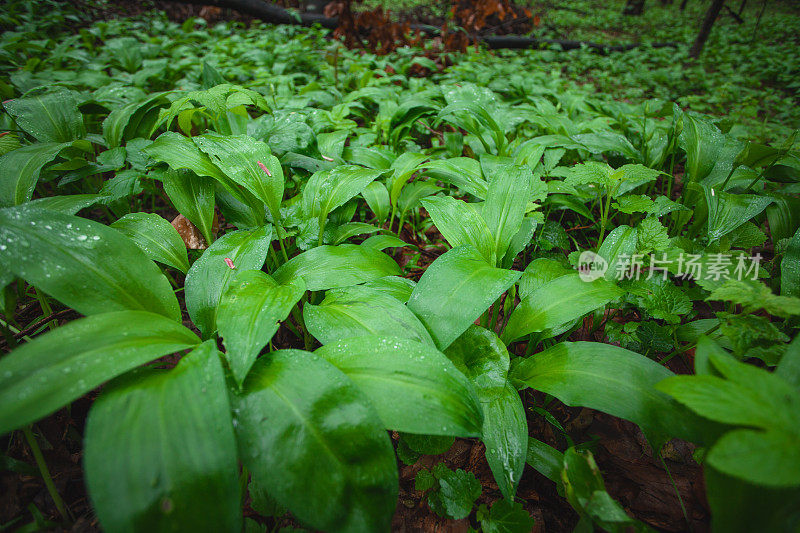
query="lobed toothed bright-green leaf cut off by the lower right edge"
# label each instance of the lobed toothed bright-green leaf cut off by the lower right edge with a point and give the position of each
(745, 395)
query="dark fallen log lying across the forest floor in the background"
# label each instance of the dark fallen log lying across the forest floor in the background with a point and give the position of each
(274, 14)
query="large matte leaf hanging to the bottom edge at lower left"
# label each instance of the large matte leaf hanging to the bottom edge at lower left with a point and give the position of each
(143, 473)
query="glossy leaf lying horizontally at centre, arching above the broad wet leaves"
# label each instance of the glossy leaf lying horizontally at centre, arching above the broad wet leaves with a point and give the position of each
(331, 267)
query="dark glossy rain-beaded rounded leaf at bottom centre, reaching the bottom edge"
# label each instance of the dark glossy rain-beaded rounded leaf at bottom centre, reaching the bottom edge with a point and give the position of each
(299, 418)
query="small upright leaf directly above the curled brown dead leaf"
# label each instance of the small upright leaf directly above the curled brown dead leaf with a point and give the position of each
(193, 197)
